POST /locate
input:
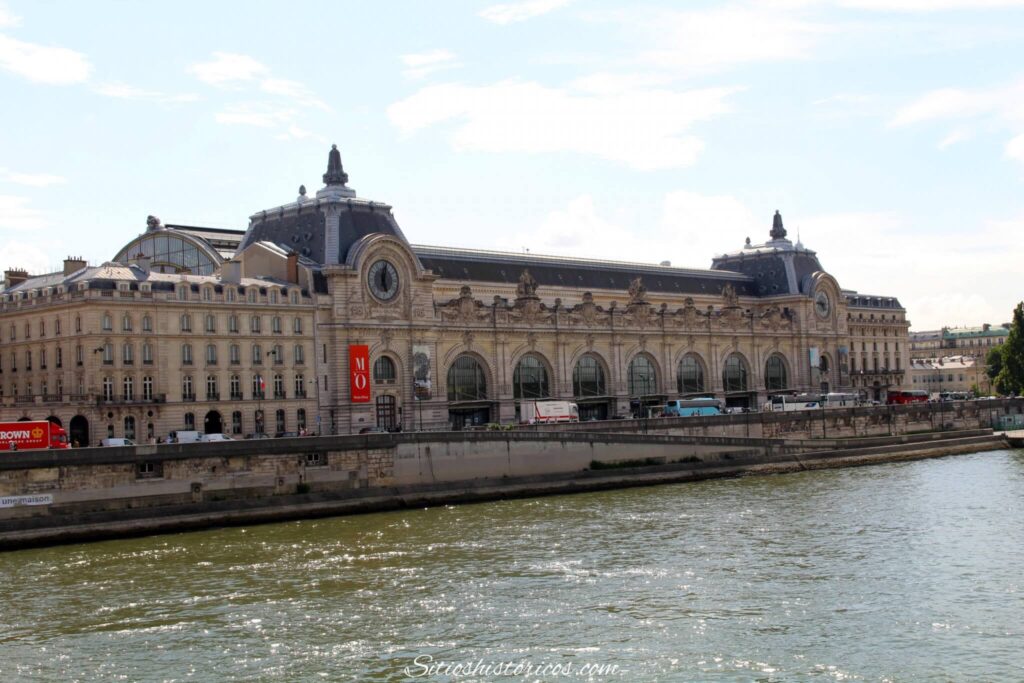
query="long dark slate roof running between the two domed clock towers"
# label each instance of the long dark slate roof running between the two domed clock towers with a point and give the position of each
(483, 267)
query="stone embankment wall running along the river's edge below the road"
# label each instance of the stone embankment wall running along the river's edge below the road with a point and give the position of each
(48, 496)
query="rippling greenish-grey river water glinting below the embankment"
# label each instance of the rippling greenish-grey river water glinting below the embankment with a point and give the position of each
(907, 573)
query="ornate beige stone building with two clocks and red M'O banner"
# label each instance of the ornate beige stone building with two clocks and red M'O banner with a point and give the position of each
(443, 336)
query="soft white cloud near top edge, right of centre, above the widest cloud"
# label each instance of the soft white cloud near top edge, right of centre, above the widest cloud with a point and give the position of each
(703, 40)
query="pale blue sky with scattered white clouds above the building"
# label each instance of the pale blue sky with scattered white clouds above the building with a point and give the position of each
(890, 135)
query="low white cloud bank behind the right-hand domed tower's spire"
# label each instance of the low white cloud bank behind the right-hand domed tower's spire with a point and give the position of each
(695, 228)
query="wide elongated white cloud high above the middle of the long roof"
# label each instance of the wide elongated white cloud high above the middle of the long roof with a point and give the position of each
(646, 130)
